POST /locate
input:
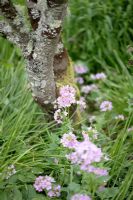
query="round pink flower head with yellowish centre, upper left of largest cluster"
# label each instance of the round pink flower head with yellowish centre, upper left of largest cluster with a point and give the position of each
(69, 140)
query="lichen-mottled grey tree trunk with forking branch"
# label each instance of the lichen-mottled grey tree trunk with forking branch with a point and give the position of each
(41, 43)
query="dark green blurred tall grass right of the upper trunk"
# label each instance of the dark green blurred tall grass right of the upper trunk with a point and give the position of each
(95, 28)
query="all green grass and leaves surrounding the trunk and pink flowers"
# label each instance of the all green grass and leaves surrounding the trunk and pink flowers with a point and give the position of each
(97, 33)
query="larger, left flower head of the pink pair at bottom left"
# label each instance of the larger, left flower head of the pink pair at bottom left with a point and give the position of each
(43, 182)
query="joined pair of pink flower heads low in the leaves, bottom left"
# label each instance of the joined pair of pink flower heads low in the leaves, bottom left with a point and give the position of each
(47, 184)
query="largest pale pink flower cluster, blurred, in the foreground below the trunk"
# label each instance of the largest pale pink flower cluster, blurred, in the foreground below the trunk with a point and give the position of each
(85, 153)
